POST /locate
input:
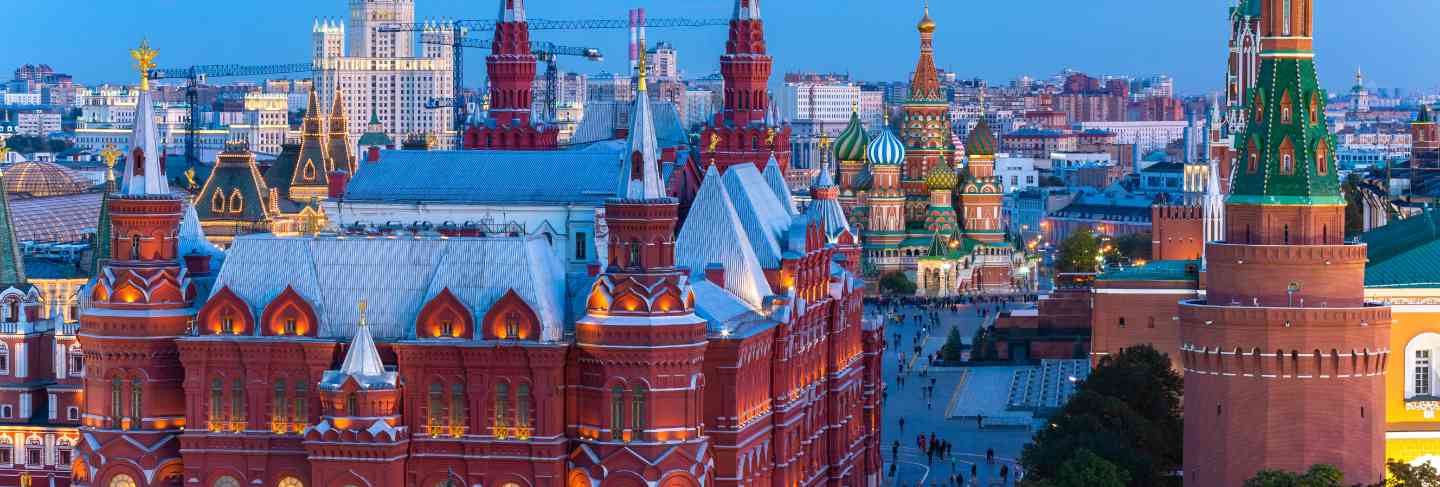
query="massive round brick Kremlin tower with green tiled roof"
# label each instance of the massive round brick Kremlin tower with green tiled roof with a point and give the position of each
(1284, 361)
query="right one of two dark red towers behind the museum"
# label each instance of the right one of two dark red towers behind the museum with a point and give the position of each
(741, 132)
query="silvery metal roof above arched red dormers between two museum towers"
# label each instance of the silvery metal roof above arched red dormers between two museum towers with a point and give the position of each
(397, 277)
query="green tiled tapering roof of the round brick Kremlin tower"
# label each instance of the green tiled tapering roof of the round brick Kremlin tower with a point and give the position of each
(1288, 119)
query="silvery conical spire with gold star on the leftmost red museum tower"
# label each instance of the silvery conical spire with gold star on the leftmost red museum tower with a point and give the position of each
(145, 175)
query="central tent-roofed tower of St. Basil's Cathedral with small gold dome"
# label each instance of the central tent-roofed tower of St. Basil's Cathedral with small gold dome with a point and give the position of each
(925, 128)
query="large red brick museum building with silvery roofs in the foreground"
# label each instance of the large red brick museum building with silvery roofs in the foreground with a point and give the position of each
(462, 361)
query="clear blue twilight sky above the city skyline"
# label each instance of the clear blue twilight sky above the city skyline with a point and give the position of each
(872, 40)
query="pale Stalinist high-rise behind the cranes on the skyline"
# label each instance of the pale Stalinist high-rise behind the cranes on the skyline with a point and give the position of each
(387, 73)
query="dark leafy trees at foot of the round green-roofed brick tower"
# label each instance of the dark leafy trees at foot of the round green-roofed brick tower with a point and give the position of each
(1127, 413)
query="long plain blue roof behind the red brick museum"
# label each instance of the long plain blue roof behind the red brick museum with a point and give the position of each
(485, 177)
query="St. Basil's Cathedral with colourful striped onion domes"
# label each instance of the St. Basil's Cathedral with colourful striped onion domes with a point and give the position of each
(925, 208)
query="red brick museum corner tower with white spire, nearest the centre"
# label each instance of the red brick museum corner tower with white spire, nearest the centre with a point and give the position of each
(636, 374)
